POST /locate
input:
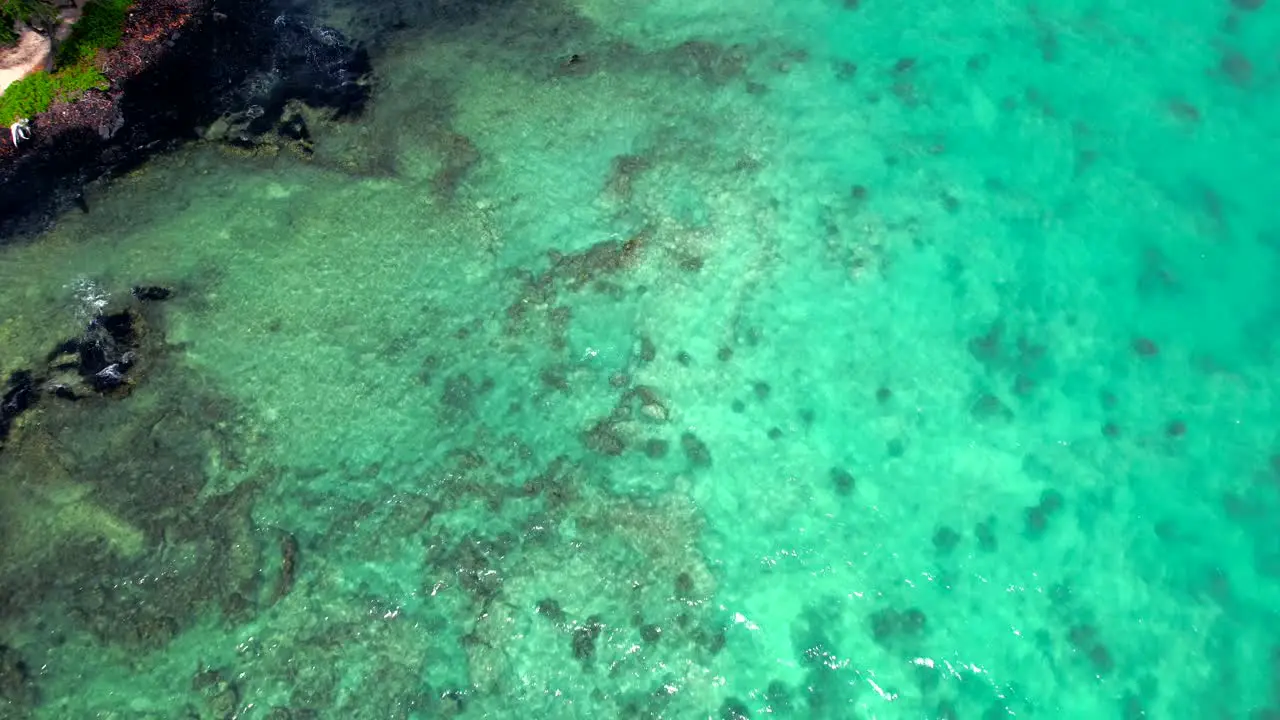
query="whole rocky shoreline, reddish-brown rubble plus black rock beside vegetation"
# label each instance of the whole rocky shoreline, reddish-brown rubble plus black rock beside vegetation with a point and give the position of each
(182, 66)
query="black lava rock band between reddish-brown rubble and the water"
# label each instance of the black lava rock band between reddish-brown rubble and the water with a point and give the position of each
(248, 65)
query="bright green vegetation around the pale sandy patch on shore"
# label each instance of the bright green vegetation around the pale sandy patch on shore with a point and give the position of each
(100, 26)
